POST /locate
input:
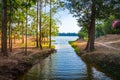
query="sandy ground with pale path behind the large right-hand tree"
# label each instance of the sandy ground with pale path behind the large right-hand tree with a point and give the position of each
(104, 44)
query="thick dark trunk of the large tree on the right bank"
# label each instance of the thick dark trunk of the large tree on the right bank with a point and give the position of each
(91, 30)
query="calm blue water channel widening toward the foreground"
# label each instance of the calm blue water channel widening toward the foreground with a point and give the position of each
(63, 65)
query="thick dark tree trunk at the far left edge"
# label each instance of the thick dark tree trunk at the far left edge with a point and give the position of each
(4, 28)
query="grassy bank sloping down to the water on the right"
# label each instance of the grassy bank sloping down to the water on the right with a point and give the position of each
(106, 60)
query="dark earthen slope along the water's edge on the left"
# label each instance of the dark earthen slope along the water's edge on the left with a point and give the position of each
(12, 70)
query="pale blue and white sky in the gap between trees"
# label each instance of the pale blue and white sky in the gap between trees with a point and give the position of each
(68, 22)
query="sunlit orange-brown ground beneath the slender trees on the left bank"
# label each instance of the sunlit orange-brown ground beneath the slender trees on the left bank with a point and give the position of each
(18, 52)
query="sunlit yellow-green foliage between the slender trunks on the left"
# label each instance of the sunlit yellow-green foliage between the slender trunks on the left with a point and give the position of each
(18, 10)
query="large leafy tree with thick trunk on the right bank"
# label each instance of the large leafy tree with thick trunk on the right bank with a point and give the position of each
(89, 11)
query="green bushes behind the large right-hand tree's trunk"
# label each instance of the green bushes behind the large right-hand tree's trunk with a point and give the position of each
(103, 27)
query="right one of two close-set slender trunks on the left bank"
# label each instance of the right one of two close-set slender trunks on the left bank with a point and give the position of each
(40, 38)
